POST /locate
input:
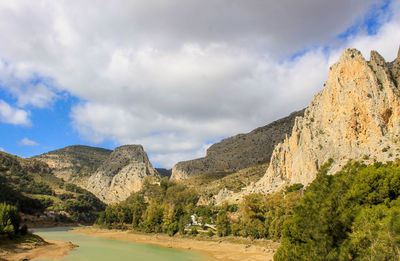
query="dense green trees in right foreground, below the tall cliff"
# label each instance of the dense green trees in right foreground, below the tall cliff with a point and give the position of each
(352, 215)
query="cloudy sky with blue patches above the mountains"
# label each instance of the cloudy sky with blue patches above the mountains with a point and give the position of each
(175, 76)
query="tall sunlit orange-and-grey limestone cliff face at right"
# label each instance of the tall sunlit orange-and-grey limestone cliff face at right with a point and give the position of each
(356, 115)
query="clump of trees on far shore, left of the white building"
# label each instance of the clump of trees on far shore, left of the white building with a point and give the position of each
(156, 208)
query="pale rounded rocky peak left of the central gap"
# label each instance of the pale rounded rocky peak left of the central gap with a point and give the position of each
(121, 174)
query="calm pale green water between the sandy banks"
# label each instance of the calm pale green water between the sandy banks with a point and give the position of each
(100, 249)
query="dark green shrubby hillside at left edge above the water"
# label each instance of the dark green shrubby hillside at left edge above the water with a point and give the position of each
(30, 185)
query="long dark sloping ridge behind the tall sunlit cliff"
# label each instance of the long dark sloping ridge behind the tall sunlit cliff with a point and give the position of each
(238, 152)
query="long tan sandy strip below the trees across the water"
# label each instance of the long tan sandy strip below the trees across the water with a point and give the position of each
(225, 250)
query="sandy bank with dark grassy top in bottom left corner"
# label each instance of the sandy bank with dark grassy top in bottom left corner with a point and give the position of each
(34, 247)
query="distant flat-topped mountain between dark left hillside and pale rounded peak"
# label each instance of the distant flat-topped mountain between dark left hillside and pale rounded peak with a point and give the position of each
(75, 164)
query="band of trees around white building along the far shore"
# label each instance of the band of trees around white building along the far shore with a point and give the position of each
(168, 208)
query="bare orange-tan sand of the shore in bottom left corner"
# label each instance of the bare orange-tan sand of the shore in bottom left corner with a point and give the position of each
(52, 250)
